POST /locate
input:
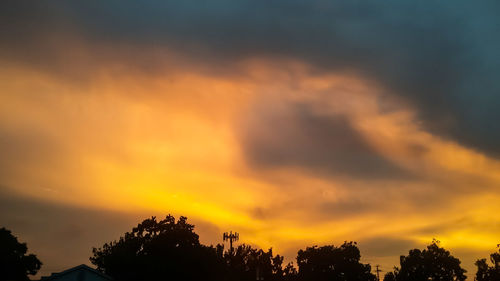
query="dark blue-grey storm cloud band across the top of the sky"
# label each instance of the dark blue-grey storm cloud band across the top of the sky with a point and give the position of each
(441, 56)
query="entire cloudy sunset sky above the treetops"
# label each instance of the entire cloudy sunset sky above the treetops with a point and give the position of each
(294, 123)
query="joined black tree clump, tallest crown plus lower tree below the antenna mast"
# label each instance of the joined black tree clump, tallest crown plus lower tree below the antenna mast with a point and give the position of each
(170, 250)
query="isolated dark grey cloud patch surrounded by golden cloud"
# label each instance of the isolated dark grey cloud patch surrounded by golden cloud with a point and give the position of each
(294, 135)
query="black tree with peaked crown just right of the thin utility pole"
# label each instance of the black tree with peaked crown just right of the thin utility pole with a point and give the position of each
(431, 264)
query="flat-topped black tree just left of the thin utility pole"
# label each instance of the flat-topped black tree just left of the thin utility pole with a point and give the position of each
(333, 263)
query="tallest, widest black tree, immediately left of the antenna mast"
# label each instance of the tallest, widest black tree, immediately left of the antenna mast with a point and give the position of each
(159, 250)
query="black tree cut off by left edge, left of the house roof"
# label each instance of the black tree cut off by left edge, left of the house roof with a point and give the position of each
(14, 263)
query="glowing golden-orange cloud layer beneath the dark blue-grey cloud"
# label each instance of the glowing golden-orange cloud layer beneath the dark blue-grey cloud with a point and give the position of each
(173, 141)
